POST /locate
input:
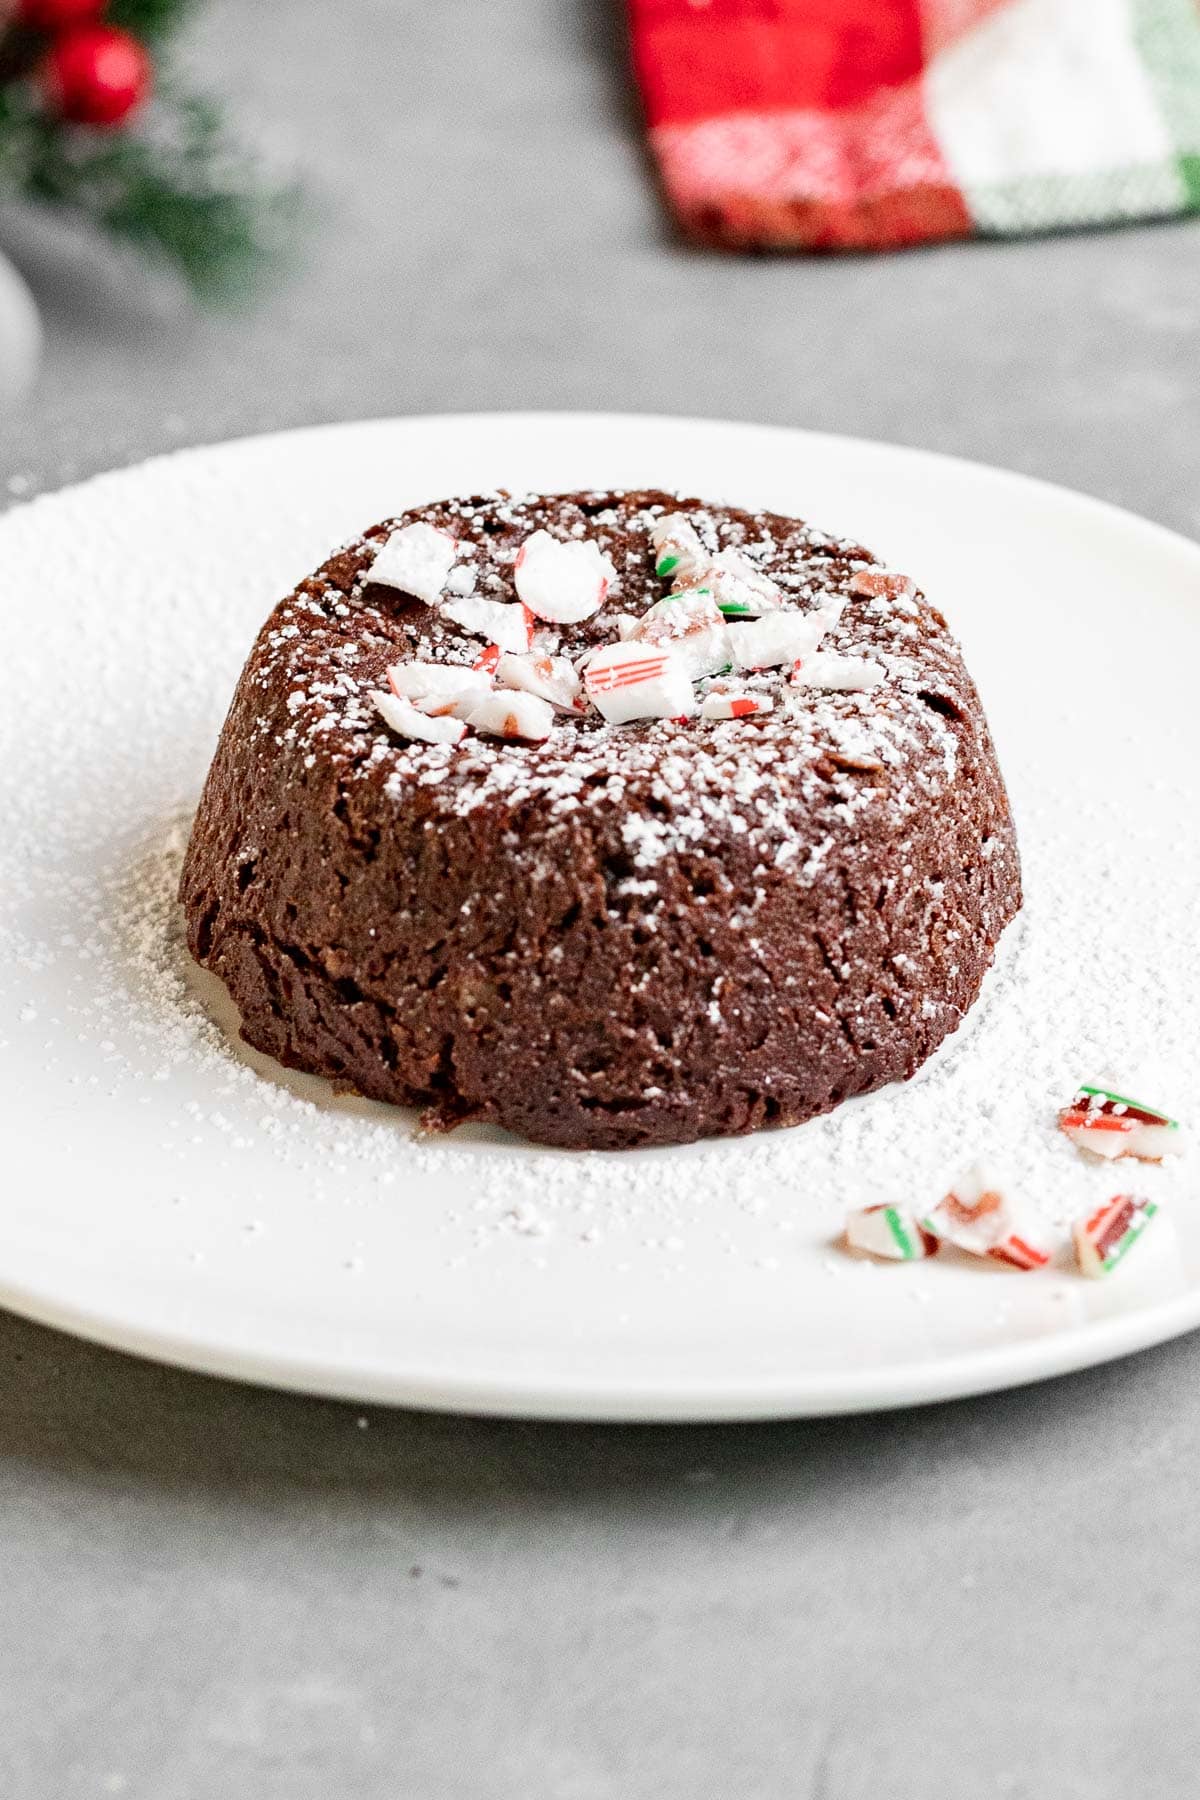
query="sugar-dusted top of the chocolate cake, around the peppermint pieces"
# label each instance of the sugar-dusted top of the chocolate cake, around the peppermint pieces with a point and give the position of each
(827, 755)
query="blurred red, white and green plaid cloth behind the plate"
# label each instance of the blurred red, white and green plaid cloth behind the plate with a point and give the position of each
(879, 123)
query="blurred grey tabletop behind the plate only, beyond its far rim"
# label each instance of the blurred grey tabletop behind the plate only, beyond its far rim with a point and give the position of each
(481, 229)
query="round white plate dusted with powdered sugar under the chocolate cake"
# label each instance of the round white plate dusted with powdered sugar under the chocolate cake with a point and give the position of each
(174, 1196)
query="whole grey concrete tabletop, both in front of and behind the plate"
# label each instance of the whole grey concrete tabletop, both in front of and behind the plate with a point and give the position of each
(215, 1594)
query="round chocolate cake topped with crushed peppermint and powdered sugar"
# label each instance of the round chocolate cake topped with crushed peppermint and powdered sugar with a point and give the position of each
(611, 818)
